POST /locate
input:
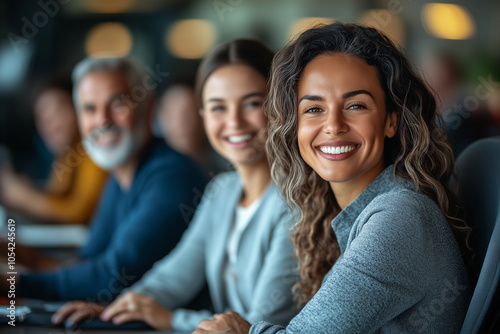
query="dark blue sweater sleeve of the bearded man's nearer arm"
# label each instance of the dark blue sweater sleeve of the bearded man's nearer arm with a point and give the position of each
(115, 259)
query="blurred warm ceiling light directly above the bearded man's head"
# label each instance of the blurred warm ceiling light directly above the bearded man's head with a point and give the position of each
(108, 38)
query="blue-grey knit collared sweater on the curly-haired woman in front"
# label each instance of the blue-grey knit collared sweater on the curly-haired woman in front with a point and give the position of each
(400, 269)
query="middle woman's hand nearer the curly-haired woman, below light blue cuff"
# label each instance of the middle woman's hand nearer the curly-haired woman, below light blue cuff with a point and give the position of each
(135, 307)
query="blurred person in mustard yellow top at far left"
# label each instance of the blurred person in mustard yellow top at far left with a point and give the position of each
(75, 182)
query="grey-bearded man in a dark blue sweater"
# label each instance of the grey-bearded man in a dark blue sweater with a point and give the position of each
(139, 217)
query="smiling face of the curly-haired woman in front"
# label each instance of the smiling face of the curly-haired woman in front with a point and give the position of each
(342, 120)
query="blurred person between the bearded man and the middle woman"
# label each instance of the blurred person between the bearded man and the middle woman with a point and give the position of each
(182, 127)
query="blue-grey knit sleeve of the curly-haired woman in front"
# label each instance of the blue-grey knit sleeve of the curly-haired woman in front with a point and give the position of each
(380, 275)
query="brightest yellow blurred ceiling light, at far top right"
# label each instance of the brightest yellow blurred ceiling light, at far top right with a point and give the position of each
(448, 21)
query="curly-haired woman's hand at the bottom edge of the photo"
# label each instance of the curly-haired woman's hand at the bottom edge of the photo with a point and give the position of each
(230, 323)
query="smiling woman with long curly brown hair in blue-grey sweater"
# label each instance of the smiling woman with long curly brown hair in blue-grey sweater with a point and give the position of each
(356, 149)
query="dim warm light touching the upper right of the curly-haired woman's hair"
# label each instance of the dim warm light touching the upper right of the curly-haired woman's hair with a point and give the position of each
(386, 22)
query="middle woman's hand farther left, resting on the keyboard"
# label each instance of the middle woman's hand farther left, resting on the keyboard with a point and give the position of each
(77, 311)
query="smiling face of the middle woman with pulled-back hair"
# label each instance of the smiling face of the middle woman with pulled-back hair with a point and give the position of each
(232, 111)
